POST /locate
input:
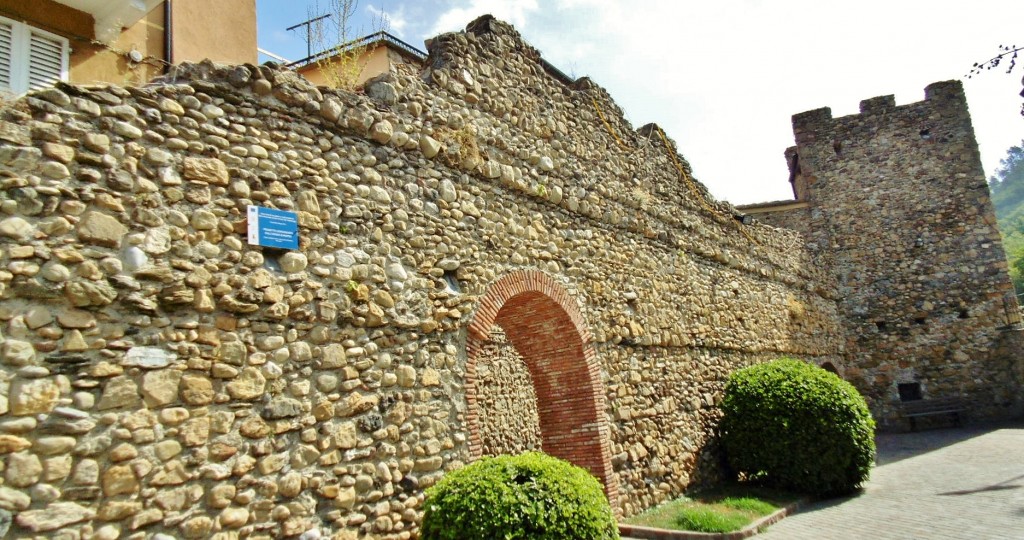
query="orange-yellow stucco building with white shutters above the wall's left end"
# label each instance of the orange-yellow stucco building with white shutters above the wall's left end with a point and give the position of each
(118, 41)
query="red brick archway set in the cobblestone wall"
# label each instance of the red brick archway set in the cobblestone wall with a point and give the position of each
(545, 326)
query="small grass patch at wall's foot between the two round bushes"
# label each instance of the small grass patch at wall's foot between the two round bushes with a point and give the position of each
(721, 510)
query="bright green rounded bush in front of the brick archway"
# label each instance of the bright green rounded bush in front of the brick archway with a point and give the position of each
(529, 496)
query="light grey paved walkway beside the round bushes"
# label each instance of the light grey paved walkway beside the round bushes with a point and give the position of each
(940, 484)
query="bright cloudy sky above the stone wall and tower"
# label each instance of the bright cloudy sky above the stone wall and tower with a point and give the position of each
(724, 77)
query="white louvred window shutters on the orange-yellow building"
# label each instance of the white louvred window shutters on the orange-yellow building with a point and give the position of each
(30, 58)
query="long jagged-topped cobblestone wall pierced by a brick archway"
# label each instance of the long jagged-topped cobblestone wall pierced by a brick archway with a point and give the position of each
(162, 377)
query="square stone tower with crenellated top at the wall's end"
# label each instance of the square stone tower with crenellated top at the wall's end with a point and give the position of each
(899, 206)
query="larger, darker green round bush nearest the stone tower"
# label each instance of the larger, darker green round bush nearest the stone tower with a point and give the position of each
(797, 427)
